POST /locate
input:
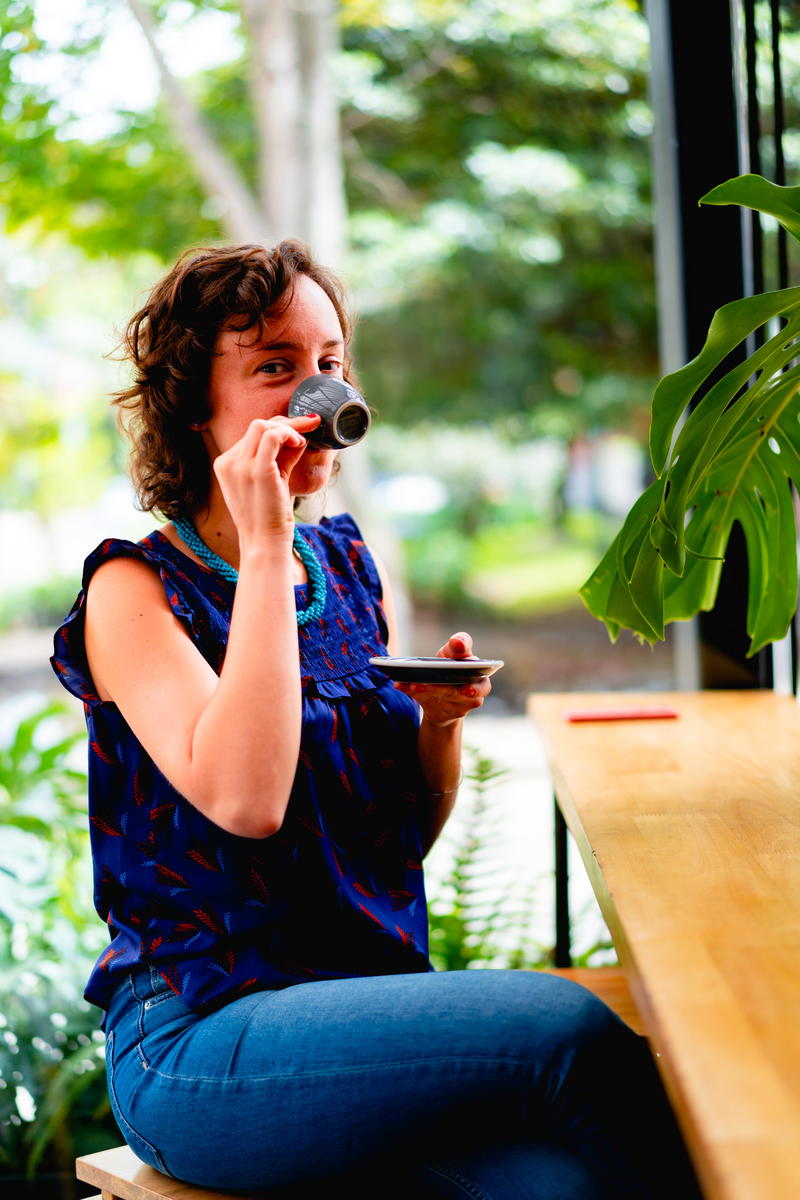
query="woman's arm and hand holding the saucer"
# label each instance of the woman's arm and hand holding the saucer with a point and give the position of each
(441, 729)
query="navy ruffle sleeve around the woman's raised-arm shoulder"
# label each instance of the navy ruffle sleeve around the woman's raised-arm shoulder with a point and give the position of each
(69, 659)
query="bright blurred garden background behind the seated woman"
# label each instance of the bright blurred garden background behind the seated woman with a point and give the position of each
(479, 173)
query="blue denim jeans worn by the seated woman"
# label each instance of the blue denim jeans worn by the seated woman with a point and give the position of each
(497, 1085)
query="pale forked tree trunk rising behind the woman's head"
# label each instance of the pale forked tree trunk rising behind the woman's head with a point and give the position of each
(298, 171)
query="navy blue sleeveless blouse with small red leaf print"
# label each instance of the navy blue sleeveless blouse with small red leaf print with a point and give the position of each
(339, 890)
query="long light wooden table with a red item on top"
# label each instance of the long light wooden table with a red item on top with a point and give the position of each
(690, 832)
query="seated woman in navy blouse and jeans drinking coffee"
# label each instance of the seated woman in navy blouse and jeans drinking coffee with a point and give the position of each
(261, 802)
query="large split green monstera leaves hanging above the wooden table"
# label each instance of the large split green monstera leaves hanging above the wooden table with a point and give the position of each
(733, 459)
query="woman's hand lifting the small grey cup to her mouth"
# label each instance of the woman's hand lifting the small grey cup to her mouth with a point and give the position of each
(255, 475)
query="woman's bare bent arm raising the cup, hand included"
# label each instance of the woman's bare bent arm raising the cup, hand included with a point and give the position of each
(228, 743)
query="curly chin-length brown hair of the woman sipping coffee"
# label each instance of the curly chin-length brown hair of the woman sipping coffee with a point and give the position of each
(171, 344)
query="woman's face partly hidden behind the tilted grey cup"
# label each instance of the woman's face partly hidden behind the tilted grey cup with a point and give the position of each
(255, 377)
